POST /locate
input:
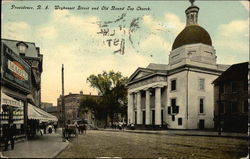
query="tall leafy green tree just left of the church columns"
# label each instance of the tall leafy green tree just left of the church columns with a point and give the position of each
(111, 85)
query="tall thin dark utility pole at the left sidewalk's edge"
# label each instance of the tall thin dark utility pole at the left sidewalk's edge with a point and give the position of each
(63, 106)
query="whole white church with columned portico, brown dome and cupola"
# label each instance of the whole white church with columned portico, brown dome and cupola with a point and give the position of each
(180, 94)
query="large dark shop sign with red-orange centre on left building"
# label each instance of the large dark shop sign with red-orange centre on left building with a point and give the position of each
(15, 70)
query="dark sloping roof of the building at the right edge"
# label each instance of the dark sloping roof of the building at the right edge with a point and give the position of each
(237, 72)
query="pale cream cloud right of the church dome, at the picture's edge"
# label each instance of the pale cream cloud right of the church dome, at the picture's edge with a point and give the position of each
(233, 37)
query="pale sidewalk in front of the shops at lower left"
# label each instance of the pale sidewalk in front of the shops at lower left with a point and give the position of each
(46, 146)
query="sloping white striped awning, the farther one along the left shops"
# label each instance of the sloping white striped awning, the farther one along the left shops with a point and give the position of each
(39, 114)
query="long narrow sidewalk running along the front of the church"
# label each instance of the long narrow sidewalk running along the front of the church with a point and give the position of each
(185, 133)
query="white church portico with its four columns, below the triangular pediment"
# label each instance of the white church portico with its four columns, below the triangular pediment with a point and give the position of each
(145, 104)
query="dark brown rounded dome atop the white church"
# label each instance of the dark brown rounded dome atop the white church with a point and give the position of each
(192, 34)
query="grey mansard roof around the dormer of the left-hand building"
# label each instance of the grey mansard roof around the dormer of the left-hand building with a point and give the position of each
(12, 44)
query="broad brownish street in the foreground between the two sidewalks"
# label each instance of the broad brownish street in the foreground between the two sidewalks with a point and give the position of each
(98, 143)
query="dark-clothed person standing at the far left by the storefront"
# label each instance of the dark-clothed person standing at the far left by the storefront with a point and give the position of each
(9, 136)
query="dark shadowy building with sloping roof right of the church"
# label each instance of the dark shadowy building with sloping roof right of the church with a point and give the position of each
(231, 99)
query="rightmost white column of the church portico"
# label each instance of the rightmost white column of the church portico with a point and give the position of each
(158, 106)
